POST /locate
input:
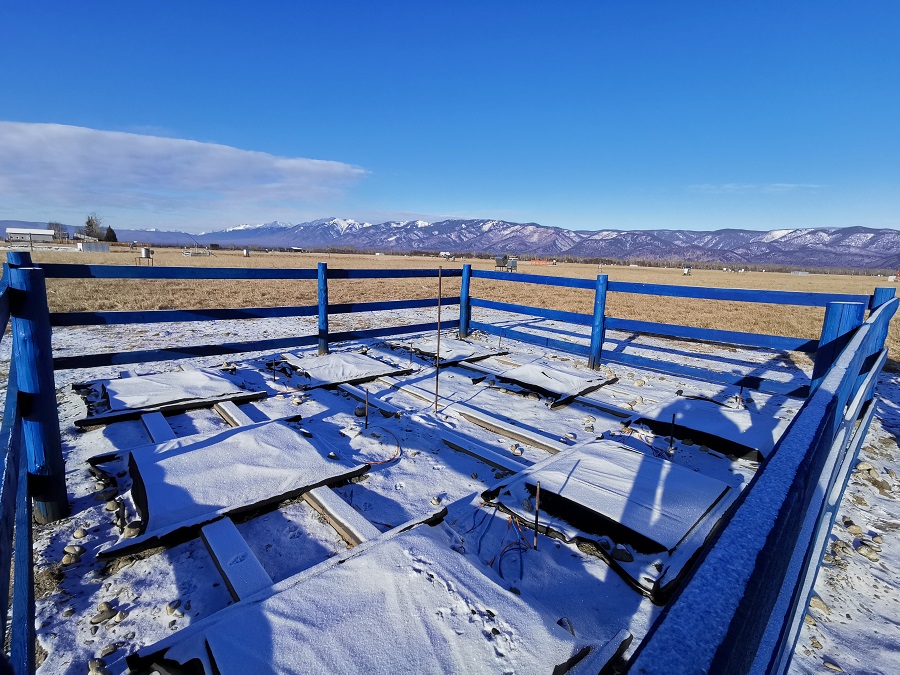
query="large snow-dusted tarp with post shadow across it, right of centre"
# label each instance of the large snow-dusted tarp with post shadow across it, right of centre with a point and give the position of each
(655, 498)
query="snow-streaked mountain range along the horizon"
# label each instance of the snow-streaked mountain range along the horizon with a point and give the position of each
(847, 247)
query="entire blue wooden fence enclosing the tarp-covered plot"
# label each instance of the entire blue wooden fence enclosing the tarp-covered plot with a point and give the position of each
(804, 479)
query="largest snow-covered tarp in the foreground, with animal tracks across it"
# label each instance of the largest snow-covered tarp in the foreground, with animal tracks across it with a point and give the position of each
(406, 604)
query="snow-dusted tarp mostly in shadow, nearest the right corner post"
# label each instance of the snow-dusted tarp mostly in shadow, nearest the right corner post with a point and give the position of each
(740, 430)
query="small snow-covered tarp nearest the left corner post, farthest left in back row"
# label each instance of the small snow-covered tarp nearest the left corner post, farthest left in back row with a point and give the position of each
(147, 391)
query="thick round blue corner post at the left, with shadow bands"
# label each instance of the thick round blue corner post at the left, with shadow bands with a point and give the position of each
(37, 389)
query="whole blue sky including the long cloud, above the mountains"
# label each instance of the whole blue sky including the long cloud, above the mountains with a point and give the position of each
(586, 115)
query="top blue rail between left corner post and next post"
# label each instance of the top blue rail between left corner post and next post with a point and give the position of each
(59, 271)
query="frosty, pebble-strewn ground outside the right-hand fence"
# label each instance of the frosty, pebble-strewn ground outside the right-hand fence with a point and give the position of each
(853, 621)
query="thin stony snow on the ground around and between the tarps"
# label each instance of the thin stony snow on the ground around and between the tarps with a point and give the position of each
(413, 474)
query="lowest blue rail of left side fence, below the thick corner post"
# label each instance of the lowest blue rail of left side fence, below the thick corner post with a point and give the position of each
(22, 650)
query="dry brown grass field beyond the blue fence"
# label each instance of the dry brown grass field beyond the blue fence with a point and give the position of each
(90, 295)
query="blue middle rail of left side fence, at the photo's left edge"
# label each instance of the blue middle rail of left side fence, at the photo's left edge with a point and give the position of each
(10, 460)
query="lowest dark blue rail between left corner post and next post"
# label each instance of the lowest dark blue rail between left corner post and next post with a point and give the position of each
(174, 353)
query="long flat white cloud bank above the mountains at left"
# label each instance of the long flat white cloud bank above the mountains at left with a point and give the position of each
(68, 167)
